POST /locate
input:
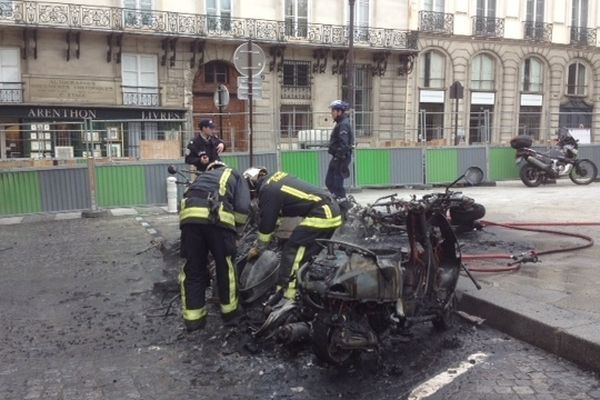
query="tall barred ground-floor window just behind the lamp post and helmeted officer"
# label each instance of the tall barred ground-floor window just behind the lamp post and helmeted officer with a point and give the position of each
(362, 105)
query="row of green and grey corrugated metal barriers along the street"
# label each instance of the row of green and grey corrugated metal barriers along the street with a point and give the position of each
(65, 188)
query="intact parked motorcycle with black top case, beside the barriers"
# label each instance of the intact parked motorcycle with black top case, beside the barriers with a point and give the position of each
(537, 167)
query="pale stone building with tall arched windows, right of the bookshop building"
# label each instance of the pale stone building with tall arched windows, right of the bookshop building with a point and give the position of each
(526, 67)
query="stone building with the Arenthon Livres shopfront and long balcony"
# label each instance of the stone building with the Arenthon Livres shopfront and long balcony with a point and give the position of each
(128, 78)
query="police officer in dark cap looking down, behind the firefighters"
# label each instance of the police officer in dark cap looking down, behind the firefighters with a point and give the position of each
(206, 146)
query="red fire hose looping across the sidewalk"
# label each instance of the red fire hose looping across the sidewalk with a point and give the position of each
(533, 255)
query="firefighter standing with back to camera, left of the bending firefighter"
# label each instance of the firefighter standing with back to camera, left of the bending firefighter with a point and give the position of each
(214, 204)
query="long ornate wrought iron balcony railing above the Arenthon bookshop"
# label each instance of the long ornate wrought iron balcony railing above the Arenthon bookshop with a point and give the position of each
(104, 18)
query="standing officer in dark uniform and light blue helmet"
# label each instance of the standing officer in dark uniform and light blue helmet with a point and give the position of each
(340, 148)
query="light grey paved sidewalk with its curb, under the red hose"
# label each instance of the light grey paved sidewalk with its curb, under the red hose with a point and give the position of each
(554, 304)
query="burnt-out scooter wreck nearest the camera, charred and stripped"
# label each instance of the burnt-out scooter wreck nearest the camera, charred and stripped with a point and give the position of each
(349, 296)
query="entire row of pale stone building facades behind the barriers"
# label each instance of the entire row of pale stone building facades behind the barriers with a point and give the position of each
(132, 78)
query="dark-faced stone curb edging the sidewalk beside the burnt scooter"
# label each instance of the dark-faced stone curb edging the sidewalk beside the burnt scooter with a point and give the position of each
(572, 336)
